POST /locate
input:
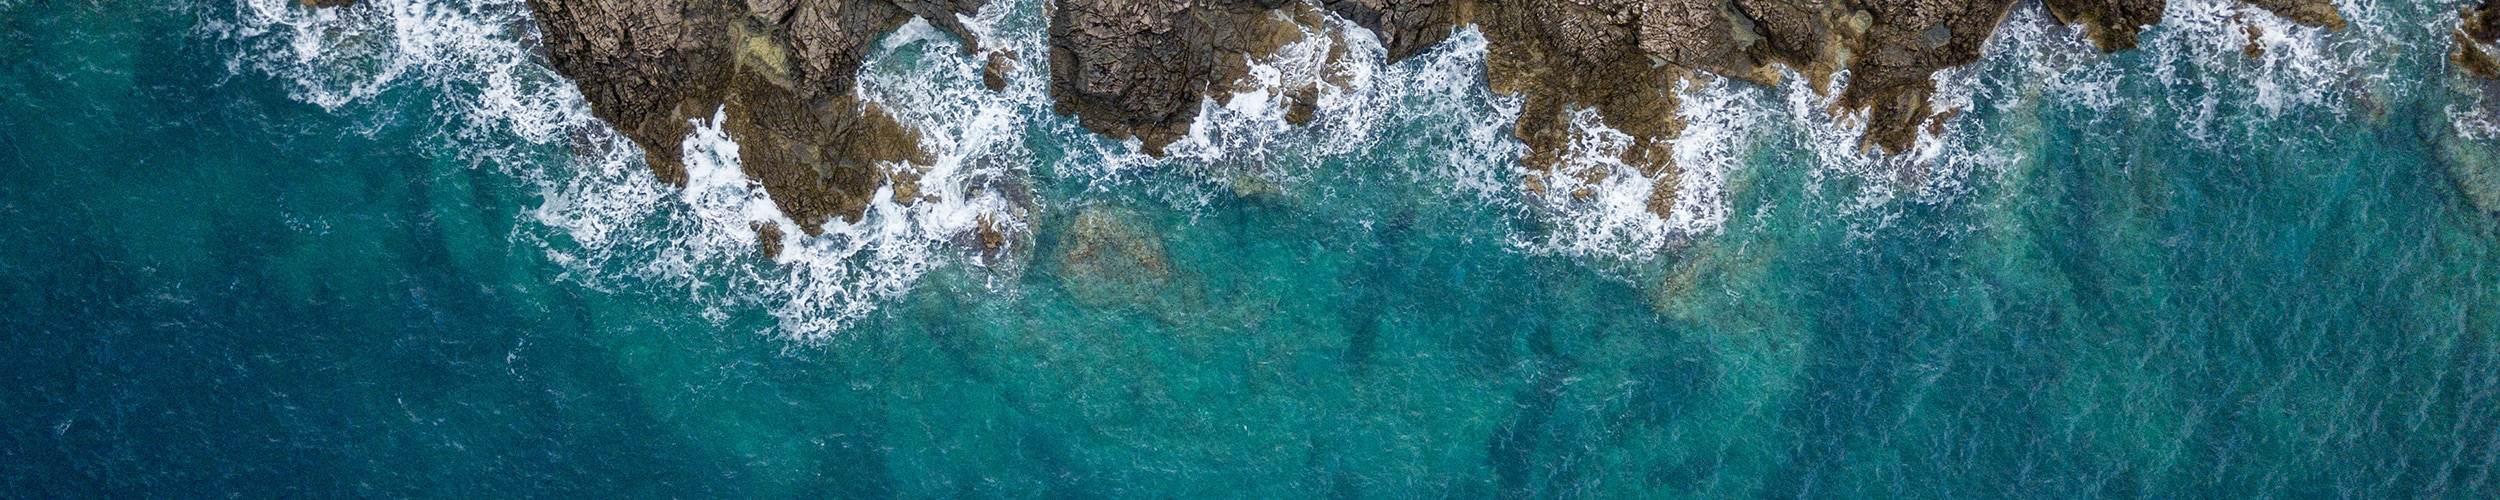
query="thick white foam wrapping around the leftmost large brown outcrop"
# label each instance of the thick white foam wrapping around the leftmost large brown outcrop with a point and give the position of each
(614, 224)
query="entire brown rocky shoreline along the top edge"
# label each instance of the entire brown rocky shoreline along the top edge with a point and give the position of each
(784, 71)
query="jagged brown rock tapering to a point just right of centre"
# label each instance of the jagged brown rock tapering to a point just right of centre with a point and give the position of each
(1616, 56)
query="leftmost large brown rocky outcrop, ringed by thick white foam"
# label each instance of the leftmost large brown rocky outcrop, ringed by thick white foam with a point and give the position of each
(781, 74)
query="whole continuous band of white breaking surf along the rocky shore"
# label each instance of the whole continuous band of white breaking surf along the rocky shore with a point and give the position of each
(614, 226)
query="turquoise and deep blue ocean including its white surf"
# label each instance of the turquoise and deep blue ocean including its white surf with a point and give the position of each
(264, 251)
